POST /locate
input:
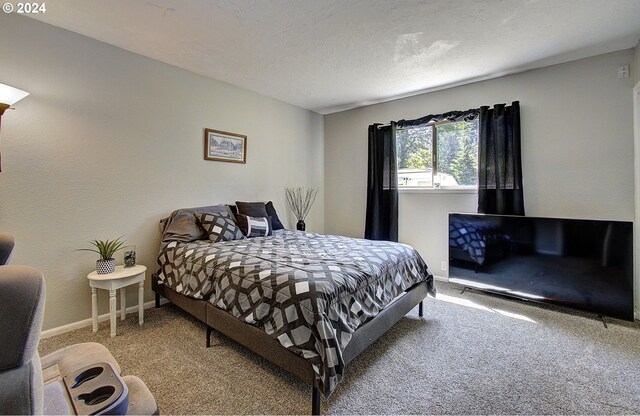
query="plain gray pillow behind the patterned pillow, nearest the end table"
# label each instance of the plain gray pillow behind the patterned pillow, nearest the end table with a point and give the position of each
(182, 225)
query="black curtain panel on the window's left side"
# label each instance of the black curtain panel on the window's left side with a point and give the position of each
(382, 184)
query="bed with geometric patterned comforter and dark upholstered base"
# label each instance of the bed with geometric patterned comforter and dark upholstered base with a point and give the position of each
(307, 302)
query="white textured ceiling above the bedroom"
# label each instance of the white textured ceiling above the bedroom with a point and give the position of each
(332, 55)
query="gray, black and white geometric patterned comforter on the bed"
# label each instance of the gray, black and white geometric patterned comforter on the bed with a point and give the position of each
(308, 291)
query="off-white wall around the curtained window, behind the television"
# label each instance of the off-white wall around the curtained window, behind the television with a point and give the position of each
(577, 146)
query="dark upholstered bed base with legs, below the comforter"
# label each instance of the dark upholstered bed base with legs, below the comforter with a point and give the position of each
(268, 348)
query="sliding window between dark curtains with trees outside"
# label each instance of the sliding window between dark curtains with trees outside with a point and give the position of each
(438, 155)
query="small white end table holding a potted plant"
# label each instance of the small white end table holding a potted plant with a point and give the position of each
(122, 277)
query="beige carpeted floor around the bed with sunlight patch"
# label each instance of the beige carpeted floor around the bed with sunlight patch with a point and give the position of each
(472, 353)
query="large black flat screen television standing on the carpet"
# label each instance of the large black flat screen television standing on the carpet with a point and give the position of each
(581, 264)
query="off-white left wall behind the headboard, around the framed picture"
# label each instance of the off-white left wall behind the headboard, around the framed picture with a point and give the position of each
(109, 142)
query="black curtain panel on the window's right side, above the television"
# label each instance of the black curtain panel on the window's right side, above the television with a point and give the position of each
(499, 161)
